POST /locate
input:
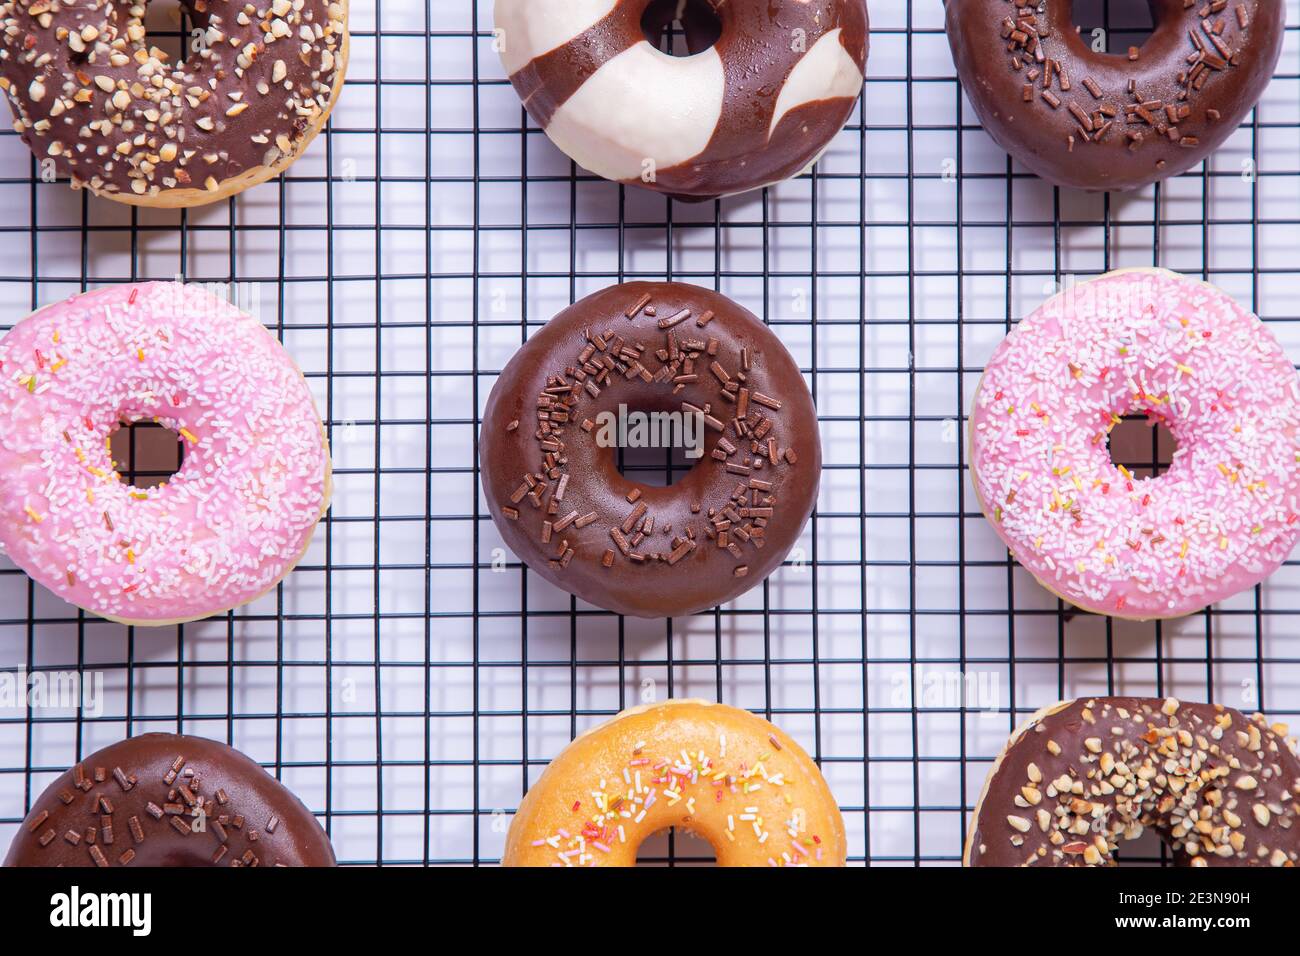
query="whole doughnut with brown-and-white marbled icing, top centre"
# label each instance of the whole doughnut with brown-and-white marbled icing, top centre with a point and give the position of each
(757, 107)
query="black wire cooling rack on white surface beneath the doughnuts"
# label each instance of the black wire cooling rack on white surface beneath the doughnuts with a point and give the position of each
(410, 680)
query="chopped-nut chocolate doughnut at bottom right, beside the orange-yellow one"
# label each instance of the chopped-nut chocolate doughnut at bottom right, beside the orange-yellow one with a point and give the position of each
(1081, 777)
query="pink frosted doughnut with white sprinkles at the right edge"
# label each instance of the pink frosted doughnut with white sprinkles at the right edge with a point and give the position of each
(1220, 521)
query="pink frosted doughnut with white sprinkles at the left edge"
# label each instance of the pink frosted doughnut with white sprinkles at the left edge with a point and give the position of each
(237, 516)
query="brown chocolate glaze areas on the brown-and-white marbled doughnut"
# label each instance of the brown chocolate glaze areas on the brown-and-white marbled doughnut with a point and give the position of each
(755, 47)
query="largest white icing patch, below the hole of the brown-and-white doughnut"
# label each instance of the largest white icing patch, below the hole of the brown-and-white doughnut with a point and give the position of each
(642, 107)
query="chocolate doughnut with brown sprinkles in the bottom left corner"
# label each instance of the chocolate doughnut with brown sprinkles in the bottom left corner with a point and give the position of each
(170, 801)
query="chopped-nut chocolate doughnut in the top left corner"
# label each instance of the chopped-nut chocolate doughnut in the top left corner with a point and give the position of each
(110, 110)
